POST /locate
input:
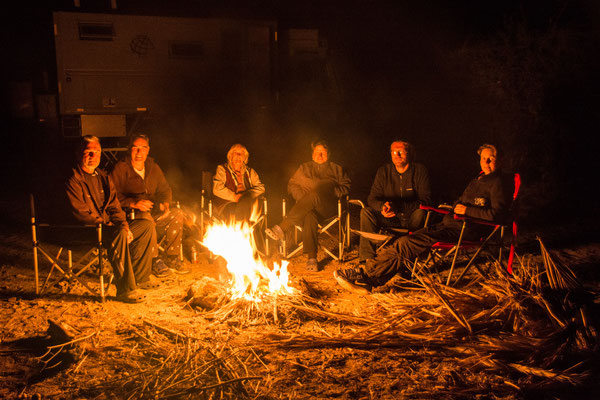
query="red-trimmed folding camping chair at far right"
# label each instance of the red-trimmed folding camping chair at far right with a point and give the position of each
(441, 250)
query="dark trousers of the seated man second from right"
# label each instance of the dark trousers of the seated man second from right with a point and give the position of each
(371, 220)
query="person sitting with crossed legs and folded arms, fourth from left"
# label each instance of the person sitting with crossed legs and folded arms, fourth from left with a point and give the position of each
(316, 185)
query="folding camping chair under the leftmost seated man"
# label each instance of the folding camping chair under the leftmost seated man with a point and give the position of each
(69, 269)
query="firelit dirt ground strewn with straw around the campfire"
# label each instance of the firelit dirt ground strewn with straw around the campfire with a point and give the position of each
(118, 343)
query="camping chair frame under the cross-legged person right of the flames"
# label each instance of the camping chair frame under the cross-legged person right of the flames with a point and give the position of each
(342, 236)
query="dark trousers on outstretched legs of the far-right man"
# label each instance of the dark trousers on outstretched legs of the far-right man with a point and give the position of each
(392, 259)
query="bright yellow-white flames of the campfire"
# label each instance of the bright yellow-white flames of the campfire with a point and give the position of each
(252, 279)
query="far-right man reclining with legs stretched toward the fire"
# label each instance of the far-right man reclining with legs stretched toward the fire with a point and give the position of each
(486, 197)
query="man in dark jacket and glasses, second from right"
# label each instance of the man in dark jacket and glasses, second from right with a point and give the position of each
(397, 191)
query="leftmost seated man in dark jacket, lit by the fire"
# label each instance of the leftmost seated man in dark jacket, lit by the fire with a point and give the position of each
(93, 199)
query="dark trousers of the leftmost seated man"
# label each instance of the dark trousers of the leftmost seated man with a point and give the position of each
(132, 262)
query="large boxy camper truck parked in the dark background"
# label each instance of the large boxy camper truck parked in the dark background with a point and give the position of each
(113, 69)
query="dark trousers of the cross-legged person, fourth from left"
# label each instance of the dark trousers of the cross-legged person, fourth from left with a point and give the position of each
(307, 212)
